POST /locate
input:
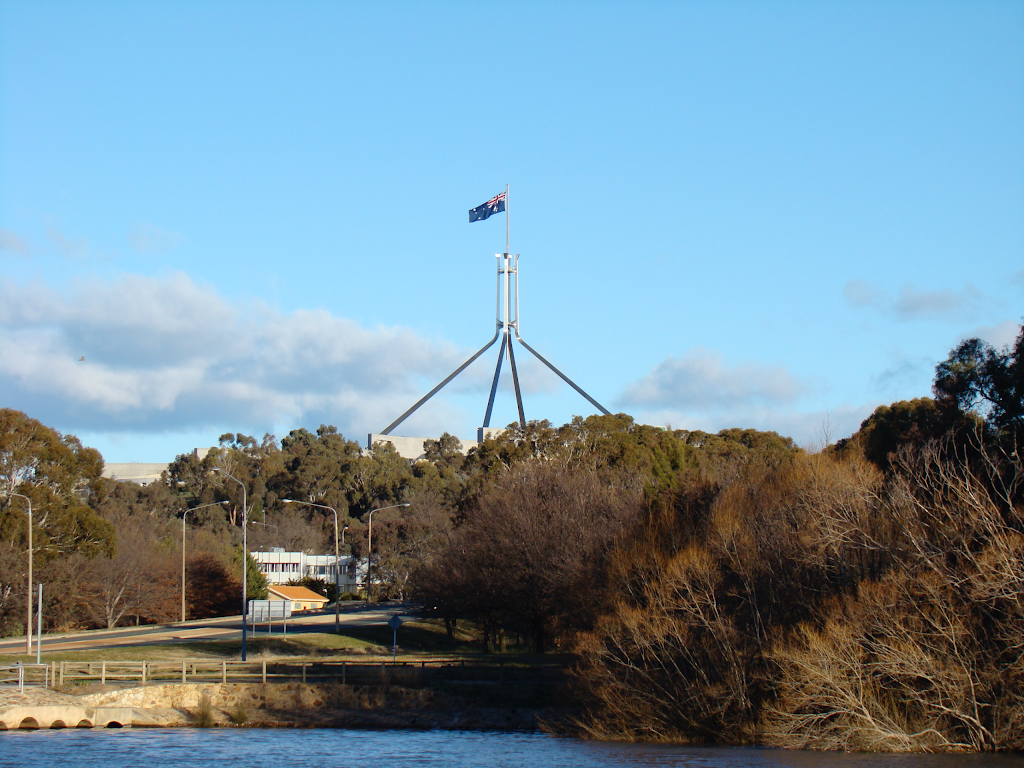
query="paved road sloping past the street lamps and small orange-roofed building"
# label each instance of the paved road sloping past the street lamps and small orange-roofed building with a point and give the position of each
(227, 628)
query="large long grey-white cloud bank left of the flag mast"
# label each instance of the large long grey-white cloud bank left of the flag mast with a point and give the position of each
(165, 355)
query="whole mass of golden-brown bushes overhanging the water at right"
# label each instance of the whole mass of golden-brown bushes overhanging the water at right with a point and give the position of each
(823, 606)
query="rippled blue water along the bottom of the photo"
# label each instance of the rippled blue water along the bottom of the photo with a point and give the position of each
(396, 749)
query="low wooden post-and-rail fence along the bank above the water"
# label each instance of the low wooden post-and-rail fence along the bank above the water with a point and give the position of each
(348, 673)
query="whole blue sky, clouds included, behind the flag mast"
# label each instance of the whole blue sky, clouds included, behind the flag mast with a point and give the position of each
(252, 217)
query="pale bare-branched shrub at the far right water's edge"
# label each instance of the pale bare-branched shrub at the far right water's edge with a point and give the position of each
(929, 657)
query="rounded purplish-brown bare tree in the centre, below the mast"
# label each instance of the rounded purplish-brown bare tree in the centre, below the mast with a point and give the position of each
(530, 554)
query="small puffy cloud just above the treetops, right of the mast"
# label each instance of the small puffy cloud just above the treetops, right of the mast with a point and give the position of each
(702, 381)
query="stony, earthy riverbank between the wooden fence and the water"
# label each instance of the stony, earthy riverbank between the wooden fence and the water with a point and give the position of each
(271, 706)
